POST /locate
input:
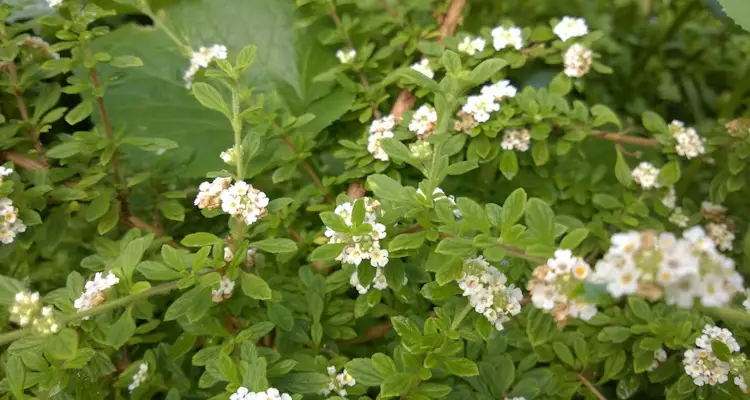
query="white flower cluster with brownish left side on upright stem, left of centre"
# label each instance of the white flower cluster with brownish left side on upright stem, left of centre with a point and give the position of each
(240, 199)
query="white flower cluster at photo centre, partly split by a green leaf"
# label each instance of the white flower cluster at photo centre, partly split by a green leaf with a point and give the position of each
(360, 247)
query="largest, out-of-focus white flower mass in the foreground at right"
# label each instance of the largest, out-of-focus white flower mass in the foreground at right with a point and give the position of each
(680, 270)
